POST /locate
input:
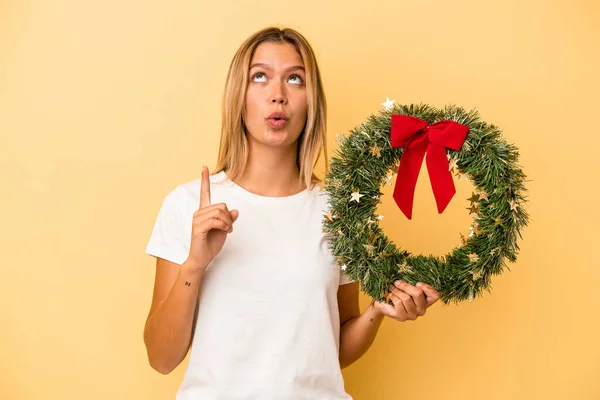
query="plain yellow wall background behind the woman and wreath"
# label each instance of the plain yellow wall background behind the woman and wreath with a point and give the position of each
(107, 106)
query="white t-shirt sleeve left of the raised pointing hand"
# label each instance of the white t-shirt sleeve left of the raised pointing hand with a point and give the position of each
(168, 239)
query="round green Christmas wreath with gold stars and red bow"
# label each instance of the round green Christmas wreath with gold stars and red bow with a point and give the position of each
(395, 141)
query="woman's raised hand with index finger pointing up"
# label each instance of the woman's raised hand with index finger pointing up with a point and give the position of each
(210, 226)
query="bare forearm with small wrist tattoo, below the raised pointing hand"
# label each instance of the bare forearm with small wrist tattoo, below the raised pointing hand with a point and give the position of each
(169, 327)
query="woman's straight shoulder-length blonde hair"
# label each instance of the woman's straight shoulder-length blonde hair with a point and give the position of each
(233, 148)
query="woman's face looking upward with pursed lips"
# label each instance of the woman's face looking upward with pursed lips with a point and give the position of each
(275, 111)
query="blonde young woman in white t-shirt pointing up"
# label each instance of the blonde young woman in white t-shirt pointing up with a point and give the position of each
(244, 275)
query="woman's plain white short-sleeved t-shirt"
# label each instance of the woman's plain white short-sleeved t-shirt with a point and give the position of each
(268, 323)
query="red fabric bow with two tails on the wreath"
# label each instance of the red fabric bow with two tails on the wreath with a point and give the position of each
(418, 137)
